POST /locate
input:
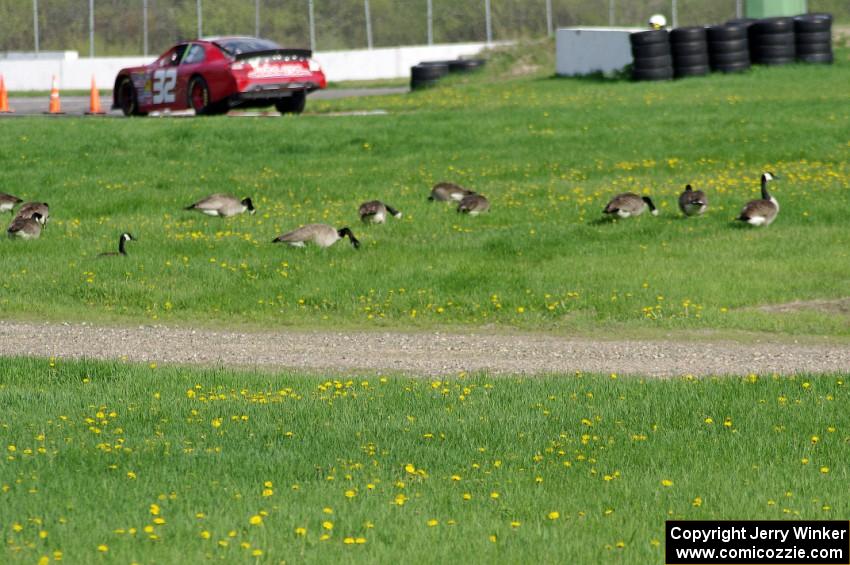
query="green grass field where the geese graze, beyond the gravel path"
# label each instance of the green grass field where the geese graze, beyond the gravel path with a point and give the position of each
(547, 152)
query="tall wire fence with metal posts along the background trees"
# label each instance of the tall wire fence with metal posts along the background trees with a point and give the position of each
(134, 27)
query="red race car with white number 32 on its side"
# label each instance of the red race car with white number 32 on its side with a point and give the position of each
(216, 74)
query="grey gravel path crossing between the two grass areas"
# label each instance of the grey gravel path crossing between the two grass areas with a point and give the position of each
(433, 353)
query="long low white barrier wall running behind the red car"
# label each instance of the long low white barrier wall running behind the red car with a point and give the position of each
(73, 72)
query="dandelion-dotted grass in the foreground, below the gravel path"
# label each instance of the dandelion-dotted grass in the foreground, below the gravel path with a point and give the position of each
(171, 465)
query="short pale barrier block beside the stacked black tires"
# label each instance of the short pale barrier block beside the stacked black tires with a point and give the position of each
(585, 50)
